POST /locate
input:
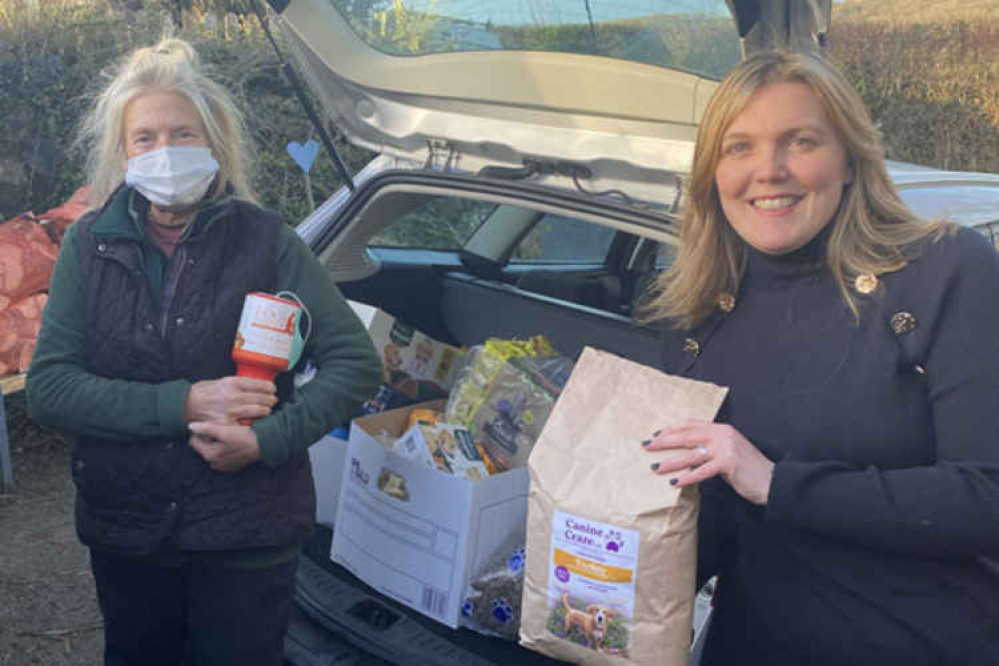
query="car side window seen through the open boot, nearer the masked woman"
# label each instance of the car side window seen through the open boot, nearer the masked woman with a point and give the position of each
(442, 223)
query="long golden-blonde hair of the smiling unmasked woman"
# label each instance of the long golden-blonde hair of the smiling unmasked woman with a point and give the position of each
(873, 232)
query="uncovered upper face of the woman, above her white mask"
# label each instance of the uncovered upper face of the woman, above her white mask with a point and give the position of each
(161, 118)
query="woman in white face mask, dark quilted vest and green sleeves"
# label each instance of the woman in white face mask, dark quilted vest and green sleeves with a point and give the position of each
(194, 521)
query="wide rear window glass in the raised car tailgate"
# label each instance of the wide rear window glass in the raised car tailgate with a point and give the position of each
(691, 35)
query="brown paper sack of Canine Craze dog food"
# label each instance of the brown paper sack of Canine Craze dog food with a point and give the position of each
(611, 547)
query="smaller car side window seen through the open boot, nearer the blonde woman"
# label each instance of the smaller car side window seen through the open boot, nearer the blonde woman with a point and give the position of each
(557, 239)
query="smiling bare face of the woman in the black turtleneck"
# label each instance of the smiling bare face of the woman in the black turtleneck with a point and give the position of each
(782, 169)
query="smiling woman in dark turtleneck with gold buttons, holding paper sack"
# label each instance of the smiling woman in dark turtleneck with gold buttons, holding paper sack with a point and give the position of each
(851, 485)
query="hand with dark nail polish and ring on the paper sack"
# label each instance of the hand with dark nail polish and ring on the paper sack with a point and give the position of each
(714, 449)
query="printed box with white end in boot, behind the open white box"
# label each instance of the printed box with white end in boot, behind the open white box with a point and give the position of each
(416, 364)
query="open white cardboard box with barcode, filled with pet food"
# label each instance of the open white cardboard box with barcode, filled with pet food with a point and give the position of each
(417, 534)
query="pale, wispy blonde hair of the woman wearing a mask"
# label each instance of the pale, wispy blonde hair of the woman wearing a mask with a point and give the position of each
(172, 65)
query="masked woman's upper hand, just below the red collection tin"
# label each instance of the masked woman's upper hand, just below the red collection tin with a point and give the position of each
(229, 399)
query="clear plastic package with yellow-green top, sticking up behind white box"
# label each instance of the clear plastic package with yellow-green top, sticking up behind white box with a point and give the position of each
(505, 394)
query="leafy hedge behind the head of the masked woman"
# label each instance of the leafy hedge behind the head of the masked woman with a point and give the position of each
(52, 56)
